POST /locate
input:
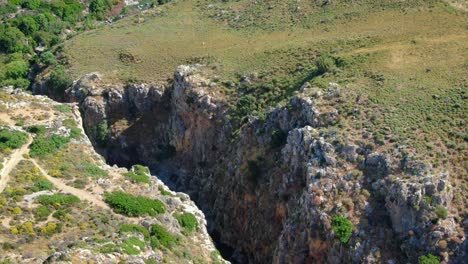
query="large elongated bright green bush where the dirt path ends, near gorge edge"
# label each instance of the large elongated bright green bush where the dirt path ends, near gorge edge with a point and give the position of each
(130, 205)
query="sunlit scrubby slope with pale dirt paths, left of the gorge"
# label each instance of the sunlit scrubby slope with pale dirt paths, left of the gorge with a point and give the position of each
(63, 203)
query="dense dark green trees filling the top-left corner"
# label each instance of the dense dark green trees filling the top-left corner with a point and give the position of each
(31, 36)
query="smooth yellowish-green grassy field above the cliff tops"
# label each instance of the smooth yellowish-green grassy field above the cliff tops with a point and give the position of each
(184, 32)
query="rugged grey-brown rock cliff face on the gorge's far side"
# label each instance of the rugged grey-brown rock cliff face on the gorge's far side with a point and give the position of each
(272, 190)
